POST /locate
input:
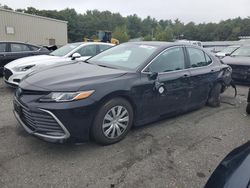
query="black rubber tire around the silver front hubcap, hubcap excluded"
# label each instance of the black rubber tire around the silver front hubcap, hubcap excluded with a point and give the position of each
(97, 131)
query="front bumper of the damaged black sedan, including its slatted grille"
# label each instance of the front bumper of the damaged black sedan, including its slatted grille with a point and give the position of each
(55, 122)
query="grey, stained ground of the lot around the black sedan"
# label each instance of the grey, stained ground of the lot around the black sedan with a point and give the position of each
(177, 152)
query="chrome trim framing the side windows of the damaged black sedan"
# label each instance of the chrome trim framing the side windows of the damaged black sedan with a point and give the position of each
(185, 69)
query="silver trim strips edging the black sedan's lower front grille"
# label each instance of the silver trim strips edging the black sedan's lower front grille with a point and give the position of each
(67, 134)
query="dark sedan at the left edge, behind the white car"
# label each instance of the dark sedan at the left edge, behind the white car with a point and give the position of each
(10, 51)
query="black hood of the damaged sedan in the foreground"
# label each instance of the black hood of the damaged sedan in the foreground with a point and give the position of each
(69, 77)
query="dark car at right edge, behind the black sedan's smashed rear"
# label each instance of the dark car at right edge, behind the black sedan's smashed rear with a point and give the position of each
(239, 60)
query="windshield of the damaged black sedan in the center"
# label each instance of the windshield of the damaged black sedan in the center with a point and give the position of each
(128, 56)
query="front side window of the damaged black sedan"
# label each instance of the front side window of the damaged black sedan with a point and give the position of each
(170, 60)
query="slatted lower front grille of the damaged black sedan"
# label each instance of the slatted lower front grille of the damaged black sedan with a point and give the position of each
(41, 122)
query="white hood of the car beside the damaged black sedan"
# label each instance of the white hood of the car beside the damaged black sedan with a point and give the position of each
(31, 60)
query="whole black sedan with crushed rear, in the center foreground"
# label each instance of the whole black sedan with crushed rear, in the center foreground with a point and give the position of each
(129, 85)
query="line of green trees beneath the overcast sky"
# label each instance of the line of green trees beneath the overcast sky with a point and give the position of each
(132, 26)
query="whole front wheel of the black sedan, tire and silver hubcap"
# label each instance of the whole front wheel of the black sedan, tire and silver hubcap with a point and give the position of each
(113, 121)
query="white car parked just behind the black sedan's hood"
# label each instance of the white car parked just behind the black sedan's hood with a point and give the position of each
(16, 70)
